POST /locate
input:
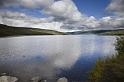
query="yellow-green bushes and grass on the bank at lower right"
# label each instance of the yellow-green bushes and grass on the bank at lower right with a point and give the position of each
(110, 69)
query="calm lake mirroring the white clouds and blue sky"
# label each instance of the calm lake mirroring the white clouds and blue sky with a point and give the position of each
(51, 57)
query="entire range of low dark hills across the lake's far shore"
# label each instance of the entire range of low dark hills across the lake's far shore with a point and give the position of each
(18, 31)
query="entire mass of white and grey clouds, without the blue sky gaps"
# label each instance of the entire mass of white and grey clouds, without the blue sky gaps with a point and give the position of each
(62, 15)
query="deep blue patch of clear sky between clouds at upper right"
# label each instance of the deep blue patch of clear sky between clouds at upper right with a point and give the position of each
(94, 8)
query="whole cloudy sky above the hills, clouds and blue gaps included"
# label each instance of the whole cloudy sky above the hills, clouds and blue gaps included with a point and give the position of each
(63, 15)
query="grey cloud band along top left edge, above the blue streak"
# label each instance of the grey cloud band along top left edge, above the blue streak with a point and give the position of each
(26, 3)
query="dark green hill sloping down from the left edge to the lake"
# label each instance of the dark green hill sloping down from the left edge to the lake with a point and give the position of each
(16, 31)
